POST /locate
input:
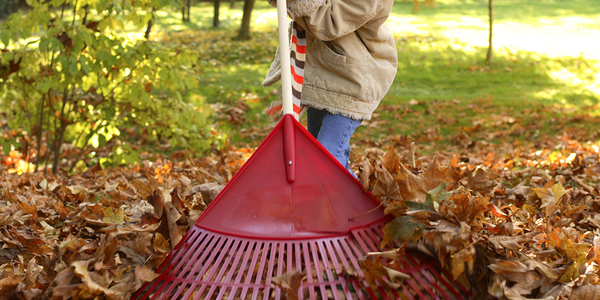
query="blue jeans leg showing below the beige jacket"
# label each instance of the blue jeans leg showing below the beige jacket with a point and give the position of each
(333, 132)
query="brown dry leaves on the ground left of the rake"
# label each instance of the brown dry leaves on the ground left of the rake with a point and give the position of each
(100, 234)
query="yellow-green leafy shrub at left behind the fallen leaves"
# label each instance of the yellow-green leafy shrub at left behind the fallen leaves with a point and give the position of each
(73, 78)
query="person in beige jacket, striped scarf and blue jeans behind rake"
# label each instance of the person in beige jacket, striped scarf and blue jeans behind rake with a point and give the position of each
(344, 61)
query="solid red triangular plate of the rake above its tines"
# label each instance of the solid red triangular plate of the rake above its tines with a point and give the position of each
(259, 202)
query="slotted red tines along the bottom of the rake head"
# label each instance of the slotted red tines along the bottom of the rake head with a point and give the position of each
(210, 265)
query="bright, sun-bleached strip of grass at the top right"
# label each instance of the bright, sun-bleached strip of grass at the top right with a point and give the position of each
(552, 28)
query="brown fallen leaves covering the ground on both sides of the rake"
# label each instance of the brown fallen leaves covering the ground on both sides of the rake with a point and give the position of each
(509, 222)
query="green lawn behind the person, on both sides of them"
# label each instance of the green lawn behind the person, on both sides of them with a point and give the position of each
(544, 79)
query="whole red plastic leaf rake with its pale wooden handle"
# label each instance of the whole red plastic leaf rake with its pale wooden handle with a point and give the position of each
(284, 212)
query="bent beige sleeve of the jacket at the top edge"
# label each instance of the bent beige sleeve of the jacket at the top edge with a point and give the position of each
(331, 19)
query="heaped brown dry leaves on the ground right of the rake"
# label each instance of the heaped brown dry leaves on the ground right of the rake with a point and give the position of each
(522, 226)
